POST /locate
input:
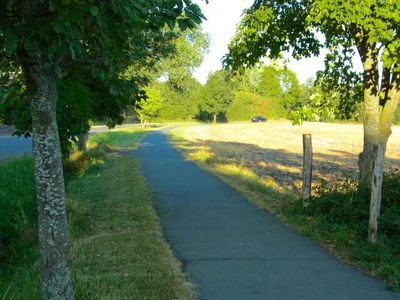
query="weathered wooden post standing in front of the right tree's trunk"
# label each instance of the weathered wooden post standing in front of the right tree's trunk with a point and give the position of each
(376, 193)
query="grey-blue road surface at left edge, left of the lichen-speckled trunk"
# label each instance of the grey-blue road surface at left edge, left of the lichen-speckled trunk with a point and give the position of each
(12, 146)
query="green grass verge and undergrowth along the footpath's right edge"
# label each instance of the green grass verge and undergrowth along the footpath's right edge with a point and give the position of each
(337, 216)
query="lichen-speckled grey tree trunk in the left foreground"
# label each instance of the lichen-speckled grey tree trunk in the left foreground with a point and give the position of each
(53, 229)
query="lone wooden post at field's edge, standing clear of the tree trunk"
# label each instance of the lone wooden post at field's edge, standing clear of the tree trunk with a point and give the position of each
(307, 168)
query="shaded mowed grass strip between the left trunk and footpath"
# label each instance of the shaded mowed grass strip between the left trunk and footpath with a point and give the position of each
(117, 249)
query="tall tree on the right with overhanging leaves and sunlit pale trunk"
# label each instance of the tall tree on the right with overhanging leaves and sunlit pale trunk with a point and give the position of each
(369, 27)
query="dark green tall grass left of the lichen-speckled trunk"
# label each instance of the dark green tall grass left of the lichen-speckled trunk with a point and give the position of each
(18, 226)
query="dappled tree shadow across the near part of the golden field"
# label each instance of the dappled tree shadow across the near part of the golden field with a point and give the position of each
(277, 168)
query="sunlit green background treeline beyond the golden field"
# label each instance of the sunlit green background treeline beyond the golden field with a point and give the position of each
(268, 89)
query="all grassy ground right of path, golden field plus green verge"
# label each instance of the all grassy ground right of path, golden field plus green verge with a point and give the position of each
(263, 162)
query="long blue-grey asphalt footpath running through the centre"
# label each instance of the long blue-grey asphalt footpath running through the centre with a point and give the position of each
(233, 250)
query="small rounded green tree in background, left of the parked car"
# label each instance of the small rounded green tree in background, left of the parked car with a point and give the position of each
(217, 94)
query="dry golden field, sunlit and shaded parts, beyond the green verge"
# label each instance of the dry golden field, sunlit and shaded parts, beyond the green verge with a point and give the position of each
(273, 150)
